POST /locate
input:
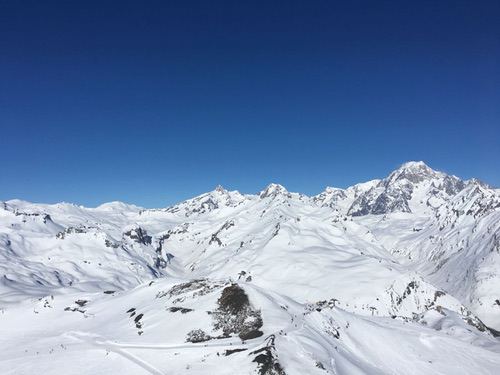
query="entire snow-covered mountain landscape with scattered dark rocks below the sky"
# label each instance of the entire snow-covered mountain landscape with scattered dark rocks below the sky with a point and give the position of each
(271, 283)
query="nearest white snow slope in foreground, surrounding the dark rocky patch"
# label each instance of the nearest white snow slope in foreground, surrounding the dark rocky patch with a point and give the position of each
(101, 337)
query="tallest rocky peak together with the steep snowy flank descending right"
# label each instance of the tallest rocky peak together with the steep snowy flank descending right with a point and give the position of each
(444, 228)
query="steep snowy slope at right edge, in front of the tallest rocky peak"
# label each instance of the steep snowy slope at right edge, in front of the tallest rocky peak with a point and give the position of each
(457, 248)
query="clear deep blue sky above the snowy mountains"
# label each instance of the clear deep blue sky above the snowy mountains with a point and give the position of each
(151, 102)
